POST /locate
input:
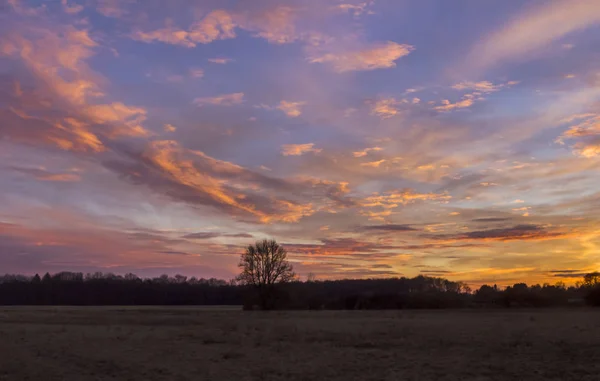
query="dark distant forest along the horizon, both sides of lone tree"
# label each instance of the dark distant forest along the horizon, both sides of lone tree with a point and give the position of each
(69, 288)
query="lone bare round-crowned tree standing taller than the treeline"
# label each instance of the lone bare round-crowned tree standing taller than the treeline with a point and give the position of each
(263, 266)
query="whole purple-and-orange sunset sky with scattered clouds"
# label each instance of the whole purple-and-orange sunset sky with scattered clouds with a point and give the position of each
(380, 138)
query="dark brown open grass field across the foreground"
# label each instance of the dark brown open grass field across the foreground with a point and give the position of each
(69, 343)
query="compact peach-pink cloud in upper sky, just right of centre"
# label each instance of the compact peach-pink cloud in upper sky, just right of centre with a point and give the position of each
(376, 56)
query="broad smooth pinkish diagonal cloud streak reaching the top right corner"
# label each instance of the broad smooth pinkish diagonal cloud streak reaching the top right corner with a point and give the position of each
(533, 30)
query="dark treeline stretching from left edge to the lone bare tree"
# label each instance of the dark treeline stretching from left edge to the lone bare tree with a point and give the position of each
(67, 288)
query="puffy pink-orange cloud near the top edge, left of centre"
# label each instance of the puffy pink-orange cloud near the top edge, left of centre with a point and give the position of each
(217, 25)
